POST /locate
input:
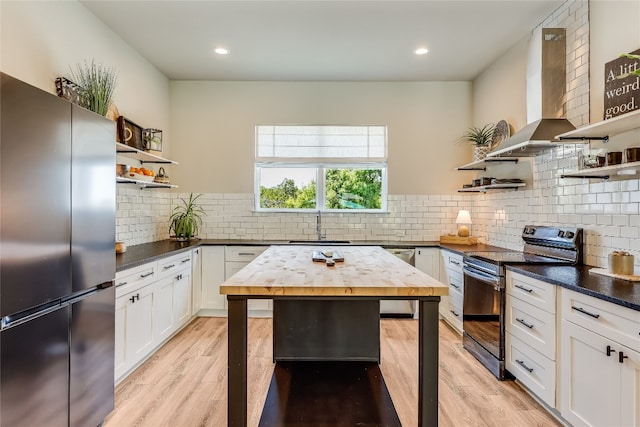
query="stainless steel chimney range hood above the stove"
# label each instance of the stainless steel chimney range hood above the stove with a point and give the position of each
(546, 97)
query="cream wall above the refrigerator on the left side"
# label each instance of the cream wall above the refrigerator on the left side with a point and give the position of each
(41, 40)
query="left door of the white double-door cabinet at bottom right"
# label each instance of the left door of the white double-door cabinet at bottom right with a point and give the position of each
(590, 380)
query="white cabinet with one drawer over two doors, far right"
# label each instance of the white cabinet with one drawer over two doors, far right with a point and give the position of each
(600, 362)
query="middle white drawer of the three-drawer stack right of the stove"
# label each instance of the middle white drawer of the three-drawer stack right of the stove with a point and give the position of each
(532, 325)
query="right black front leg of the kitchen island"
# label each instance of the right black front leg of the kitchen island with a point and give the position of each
(428, 362)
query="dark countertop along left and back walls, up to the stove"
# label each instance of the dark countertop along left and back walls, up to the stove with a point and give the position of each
(147, 252)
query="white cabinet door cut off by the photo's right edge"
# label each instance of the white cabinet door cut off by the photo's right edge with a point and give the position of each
(630, 390)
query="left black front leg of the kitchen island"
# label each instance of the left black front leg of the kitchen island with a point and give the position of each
(237, 362)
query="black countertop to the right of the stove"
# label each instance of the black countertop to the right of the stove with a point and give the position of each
(578, 278)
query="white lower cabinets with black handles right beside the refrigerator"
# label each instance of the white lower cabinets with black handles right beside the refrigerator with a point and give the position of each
(150, 310)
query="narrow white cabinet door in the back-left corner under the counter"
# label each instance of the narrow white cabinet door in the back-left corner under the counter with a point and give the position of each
(212, 277)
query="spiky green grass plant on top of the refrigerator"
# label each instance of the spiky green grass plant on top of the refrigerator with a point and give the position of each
(96, 84)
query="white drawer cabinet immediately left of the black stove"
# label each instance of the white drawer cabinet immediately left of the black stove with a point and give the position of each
(451, 274)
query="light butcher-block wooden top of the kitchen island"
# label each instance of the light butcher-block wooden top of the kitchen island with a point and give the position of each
(366, 271)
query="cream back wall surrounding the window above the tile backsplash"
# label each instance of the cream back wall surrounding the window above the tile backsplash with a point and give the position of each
(214, 123)
